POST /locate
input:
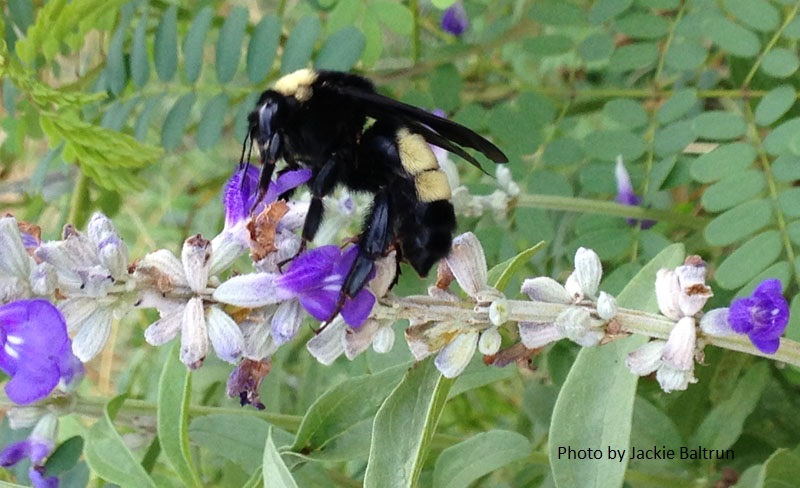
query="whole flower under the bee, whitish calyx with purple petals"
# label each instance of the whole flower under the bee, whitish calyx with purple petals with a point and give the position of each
(314, 278)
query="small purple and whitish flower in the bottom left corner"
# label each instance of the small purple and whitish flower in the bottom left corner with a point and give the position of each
(37, 447)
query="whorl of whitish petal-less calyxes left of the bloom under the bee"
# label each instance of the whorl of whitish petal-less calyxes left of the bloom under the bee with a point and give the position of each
(187, 279)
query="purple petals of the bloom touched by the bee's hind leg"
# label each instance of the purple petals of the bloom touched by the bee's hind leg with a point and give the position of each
(316, 277)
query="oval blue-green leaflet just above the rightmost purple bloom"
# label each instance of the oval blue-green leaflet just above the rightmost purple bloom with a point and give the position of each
(749, 259)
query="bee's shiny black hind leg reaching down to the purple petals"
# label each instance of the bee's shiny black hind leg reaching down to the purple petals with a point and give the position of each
(372, 244)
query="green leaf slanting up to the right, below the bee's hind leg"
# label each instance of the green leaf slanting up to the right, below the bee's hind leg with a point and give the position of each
(344, 406)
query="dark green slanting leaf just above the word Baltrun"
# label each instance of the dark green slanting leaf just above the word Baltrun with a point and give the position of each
(725, 422)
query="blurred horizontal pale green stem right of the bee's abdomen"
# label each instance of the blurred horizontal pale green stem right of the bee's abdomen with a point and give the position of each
(584, 205)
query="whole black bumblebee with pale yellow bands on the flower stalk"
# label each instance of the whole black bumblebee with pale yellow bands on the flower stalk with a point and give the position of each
(337, 125)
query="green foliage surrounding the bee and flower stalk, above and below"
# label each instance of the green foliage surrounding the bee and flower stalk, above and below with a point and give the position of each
(138, 108)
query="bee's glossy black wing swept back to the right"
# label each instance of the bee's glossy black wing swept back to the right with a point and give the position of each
(436, 130)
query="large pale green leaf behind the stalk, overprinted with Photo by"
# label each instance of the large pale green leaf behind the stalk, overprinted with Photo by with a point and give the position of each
(599, 392)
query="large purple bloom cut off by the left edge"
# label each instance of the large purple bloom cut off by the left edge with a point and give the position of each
(36, 352)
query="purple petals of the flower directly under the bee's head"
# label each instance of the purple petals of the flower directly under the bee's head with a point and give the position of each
(242, 188)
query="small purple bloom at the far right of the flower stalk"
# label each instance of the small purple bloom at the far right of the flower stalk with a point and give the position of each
(762, 316)
